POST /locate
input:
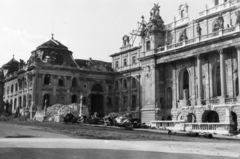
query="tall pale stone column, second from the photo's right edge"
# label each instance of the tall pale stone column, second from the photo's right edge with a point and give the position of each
(223, 76)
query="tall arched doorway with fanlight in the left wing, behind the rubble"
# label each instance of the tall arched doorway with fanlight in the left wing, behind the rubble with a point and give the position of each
(97, 101)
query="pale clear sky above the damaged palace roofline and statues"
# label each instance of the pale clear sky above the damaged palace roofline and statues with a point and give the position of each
(89, 28)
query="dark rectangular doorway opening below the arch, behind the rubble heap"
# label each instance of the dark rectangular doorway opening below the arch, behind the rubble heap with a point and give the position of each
(97, 104)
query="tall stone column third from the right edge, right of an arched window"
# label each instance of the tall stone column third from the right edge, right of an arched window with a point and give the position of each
(199, 64)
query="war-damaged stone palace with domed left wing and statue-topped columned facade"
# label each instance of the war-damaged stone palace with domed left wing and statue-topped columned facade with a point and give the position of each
(185, 70)
